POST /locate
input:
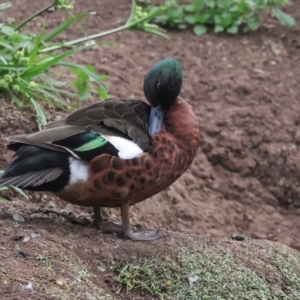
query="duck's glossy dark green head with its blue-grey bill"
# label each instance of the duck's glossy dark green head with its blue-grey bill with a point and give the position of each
(162, 86)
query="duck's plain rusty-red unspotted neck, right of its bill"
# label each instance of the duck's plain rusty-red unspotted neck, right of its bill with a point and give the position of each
(182, 123)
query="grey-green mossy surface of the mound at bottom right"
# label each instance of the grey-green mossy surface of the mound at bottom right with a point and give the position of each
(259, 271)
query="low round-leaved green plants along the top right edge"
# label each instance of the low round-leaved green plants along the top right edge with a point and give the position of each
(225, 15)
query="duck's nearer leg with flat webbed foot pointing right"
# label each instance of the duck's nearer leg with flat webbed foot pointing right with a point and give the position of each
(127, 230)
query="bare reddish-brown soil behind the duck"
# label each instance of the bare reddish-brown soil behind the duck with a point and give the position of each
(245, 92)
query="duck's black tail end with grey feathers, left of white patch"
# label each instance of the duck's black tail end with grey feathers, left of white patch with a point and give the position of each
(37, 169)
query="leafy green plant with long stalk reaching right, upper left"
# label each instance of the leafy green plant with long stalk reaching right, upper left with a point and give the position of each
(27, 60)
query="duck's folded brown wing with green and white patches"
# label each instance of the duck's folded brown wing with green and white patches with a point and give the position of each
(117, 127)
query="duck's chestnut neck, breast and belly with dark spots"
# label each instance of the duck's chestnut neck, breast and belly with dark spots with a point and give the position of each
(114, 182)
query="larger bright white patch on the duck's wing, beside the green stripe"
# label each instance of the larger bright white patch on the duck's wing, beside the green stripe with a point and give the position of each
(127, 149)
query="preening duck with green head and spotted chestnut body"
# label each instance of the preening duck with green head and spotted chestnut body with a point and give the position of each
(112, 153)
